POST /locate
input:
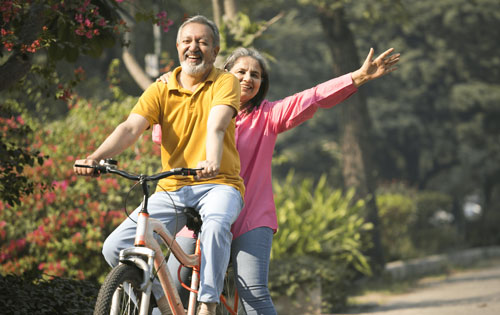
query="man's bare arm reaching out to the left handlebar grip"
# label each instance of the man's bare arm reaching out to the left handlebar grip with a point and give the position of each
(121, 138)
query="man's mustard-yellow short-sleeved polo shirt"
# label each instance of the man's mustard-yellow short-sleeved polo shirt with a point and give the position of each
(183, 117)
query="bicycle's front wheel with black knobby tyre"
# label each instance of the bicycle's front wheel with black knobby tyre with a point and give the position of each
(120, 292)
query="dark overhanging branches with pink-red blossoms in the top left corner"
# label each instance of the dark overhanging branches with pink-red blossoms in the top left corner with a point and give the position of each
(57, 29)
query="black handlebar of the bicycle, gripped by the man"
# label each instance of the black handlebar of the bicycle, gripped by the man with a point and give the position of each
(109, 166)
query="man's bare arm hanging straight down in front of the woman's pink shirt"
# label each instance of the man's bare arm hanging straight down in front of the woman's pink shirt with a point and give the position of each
(218, 120)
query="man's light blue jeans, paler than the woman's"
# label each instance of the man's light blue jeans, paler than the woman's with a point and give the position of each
(218, 205)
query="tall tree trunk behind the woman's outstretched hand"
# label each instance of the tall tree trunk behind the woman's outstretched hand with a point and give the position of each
(356, 145)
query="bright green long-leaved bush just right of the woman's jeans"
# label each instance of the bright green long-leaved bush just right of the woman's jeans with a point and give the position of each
(319, 237)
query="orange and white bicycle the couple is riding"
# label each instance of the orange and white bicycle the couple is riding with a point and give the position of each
(127, 288)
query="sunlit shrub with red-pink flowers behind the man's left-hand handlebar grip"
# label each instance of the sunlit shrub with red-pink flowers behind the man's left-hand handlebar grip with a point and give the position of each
(60, 231)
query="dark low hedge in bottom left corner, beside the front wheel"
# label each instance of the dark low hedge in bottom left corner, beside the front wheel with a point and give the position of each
(32, 294)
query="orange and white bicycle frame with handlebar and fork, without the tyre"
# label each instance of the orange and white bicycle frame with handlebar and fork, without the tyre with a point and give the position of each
(147, 254)
